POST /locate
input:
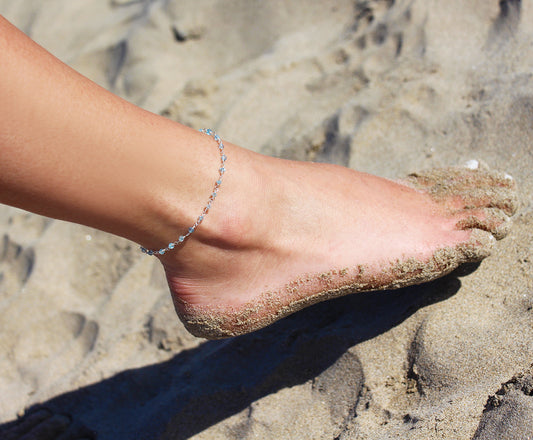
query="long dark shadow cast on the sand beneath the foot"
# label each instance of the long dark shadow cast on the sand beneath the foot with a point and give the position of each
(200, 387)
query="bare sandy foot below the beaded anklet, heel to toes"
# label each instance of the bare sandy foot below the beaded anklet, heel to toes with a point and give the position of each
(283, 235)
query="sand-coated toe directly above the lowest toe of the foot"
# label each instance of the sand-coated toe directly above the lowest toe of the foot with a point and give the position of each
(492, 220)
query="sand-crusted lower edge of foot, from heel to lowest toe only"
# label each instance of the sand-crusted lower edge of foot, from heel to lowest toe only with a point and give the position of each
(218, 322)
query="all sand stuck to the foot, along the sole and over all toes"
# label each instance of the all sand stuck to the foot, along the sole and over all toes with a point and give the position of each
(471, 185)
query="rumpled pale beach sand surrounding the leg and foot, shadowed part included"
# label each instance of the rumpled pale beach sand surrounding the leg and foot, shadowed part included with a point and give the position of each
(385, 87)
